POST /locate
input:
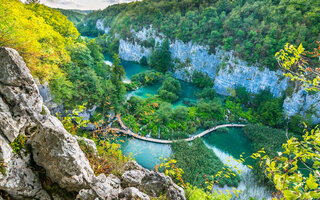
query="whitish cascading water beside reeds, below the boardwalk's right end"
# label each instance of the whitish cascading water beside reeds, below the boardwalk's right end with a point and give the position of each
(248, 181)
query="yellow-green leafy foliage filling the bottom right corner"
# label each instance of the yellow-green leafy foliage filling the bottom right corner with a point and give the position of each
(295, 170)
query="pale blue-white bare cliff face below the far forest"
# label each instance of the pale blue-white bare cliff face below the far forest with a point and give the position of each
(227, 71)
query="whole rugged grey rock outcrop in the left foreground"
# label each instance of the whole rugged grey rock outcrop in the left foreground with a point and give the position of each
(51, 148)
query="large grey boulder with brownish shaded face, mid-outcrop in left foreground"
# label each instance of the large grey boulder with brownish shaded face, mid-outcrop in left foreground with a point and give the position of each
(58, 152)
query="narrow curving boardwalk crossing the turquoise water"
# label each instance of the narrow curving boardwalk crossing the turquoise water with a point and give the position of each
(127, 131)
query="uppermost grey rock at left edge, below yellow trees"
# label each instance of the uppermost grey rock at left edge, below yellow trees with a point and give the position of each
(20, 101)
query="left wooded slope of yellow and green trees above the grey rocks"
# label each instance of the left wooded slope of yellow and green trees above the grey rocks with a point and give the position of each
(54, 52)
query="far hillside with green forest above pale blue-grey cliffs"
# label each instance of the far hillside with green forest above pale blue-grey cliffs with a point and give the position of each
(233, 43)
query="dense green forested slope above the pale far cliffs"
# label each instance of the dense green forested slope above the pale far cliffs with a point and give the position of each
(255, 29)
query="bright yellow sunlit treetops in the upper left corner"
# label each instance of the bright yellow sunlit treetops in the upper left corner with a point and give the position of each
(40, 34)
